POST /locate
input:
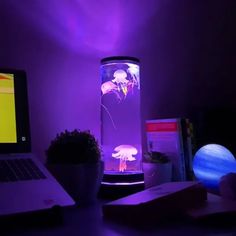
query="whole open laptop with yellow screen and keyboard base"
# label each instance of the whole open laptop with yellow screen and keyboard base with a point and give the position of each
(25, 184)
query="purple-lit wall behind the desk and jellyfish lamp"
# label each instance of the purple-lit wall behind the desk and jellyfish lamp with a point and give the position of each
(186, 48)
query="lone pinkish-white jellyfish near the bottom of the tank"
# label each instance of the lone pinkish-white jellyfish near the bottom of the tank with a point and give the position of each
(124, 153)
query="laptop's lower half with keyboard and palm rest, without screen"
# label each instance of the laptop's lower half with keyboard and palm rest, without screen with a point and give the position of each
(28, 191)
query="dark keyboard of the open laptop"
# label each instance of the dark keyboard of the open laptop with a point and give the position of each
(19, 169)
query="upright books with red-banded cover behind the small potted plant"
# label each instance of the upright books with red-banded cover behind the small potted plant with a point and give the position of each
(173, 137)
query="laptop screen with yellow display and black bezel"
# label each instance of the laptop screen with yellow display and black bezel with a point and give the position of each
(14, 114)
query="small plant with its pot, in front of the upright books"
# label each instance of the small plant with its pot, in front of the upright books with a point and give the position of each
(157, 168)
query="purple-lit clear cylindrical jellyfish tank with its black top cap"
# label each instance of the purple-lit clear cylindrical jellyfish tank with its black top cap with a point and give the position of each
(120, 116)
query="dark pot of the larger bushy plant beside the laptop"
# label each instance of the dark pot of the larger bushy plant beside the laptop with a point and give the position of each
(81, 181)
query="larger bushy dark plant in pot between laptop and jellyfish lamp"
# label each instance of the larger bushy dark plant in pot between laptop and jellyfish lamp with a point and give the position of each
(74, 158)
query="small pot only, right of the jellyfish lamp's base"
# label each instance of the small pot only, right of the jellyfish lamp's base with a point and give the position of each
(157, 173)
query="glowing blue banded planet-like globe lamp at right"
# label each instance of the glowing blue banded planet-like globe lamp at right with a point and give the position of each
(211, 162)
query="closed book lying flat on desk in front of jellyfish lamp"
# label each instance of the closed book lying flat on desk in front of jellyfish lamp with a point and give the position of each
(157, 203)
